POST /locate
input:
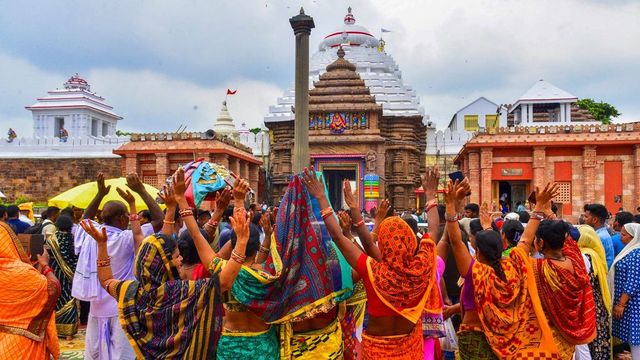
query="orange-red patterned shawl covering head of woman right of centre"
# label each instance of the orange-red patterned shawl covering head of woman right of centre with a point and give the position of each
(405, 281)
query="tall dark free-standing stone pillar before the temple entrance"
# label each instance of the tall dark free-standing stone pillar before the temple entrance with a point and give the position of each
(302, 25)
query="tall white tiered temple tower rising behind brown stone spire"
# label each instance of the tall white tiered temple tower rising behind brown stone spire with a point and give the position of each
(377, 68)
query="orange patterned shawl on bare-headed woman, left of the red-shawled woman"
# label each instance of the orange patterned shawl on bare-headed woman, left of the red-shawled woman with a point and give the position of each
(512, 318)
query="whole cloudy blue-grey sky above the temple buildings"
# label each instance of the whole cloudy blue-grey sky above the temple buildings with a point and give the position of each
(166, 63)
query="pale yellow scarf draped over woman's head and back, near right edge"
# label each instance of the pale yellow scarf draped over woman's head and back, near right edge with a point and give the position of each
(590, 244)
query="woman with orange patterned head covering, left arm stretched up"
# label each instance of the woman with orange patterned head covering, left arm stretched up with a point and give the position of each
(398, 287)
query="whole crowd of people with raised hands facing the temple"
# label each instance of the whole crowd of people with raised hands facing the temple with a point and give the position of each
(302, 280)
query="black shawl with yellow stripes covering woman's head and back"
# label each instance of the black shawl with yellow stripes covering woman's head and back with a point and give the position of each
(165, 317)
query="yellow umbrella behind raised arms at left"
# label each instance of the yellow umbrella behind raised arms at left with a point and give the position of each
(81, 195)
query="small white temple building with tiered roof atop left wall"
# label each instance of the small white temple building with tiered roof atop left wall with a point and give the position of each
(72, 122)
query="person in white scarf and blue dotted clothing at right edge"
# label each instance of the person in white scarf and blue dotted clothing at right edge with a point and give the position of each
(624, 283)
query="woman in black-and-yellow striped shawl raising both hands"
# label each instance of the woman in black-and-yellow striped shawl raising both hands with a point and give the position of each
(154, 307)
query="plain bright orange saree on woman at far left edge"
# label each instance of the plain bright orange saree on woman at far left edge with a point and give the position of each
(27, 304)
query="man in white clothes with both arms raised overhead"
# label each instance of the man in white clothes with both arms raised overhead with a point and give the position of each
(105, 339)
